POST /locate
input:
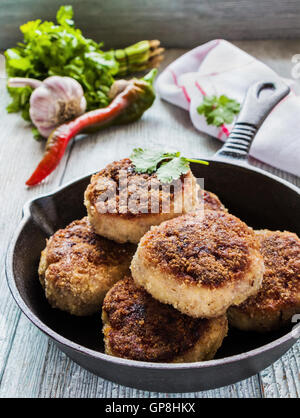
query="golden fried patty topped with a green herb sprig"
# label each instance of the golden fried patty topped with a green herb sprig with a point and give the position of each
(123, 204)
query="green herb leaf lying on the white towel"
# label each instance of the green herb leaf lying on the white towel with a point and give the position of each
(218, 110)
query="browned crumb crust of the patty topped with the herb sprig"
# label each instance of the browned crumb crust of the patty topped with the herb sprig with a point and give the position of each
(107, 182)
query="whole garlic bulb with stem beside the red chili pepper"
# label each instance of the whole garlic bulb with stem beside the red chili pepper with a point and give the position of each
(53, 102)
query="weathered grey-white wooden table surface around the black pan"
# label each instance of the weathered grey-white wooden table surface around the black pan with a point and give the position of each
(30, 364)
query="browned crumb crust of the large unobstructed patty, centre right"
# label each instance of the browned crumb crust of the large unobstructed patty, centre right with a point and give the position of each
(209, 250)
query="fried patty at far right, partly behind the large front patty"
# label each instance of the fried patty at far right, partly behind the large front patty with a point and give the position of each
(279, 297)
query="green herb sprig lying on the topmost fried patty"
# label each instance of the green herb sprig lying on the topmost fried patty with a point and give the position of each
(168, 166)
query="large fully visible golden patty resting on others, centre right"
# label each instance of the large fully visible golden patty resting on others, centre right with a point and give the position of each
(199, 264)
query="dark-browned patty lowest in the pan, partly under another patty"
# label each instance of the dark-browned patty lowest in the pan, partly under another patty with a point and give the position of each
(138, 327)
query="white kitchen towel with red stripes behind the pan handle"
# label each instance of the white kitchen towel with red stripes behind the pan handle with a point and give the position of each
(218, 67)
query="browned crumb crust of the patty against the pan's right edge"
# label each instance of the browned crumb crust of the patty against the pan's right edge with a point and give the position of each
(281, 282)
